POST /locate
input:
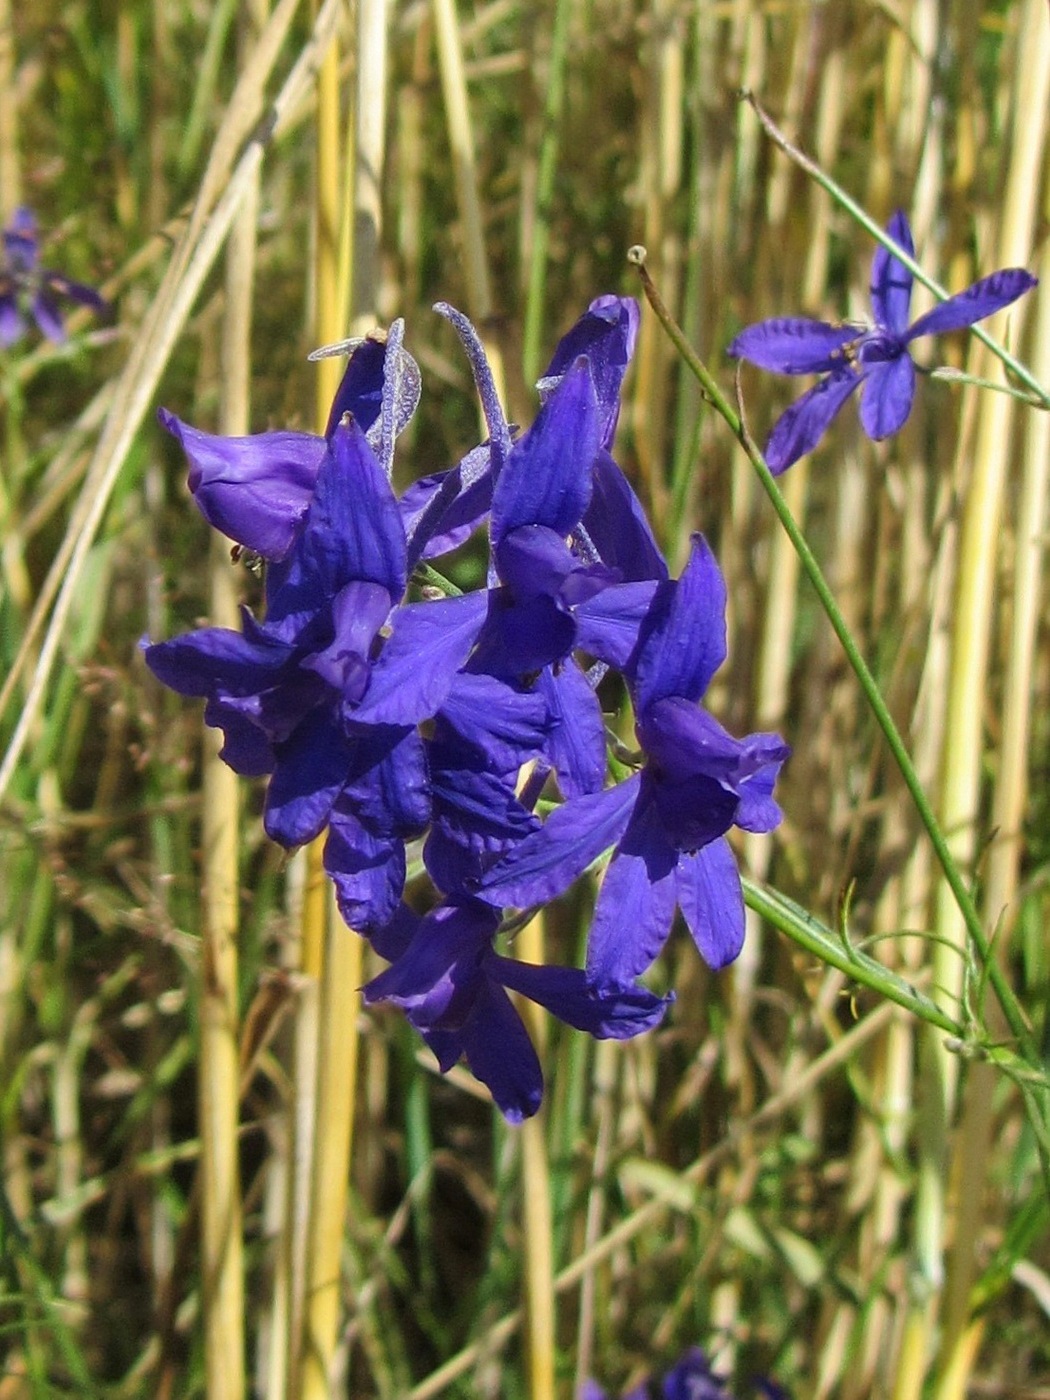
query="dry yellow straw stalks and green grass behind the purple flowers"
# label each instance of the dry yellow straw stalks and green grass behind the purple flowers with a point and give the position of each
(792, 1172)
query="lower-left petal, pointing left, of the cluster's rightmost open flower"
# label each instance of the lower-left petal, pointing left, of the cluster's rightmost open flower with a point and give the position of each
(545, 864)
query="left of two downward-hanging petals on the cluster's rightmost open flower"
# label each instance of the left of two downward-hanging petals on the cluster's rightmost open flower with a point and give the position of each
(636, 905)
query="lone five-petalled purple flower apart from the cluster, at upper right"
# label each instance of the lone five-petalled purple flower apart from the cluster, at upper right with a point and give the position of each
(876, 358)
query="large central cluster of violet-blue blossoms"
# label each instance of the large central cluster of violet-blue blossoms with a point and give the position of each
(384, 715)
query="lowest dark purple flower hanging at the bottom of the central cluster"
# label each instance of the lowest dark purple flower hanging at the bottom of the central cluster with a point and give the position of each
(453, 986)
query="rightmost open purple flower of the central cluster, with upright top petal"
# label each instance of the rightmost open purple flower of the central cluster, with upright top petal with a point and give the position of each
(667, 822)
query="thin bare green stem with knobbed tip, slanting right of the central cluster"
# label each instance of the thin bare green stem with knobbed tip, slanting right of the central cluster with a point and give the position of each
(1010, 1004)
